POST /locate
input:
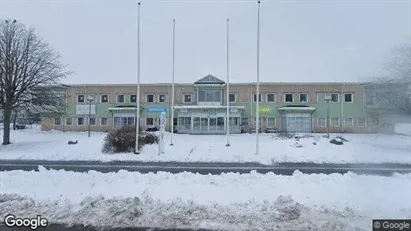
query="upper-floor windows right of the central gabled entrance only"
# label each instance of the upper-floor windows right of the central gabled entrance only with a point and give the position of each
(300, 97)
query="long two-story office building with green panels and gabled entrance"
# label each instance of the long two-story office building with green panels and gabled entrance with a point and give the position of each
(200, 107)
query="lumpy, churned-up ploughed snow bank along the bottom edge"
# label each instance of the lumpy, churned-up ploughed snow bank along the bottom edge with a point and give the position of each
(283, 214)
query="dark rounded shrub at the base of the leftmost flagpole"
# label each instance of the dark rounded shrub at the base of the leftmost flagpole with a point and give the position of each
(124, 140)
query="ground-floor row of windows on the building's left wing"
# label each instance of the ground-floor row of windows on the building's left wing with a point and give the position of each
(103, 121)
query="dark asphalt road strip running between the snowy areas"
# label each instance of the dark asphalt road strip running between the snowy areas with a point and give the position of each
(205, 168)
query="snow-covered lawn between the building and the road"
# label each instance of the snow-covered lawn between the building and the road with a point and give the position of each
(361, 148)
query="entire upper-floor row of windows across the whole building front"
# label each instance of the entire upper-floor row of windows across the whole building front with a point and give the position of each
(188, 98)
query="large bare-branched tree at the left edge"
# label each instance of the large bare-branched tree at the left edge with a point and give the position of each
(29, 72)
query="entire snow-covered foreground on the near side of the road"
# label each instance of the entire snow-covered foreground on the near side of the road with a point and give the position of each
(227, 201)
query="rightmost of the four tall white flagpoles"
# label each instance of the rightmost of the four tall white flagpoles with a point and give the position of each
(257, 106)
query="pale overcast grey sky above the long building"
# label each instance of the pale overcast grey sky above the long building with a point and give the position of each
(300, 40)
